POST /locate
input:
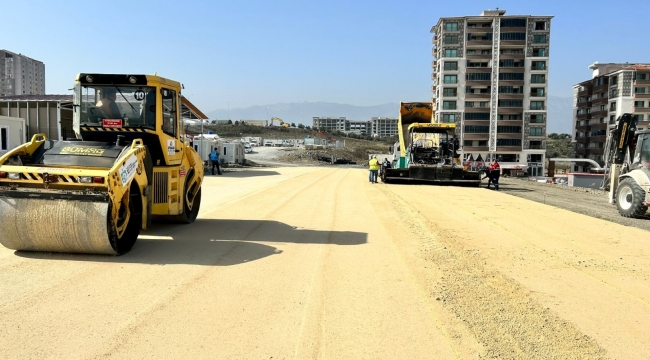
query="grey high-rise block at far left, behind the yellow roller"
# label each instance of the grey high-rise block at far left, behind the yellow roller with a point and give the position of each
(20, 75)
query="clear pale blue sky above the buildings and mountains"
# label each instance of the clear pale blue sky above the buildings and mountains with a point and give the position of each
(242, 53)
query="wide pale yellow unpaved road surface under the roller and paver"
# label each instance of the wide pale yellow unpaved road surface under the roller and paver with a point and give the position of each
(317, 263)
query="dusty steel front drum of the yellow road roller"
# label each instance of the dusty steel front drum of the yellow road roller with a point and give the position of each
(55, 226)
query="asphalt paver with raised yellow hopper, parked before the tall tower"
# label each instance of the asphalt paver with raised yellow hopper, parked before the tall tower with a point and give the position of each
(426, 151)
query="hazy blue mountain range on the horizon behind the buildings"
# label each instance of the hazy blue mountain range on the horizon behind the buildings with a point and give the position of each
(559, 112)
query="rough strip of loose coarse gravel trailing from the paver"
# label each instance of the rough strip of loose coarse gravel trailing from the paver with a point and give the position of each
(499, 311)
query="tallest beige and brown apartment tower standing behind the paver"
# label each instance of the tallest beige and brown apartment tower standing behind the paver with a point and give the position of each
(490, 77)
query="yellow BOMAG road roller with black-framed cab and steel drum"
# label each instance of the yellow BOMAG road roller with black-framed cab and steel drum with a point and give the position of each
(93, 193)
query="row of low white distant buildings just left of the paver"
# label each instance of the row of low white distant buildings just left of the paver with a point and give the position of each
(379, 126)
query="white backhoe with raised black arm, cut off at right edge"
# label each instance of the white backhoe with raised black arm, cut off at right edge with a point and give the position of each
(627, 164)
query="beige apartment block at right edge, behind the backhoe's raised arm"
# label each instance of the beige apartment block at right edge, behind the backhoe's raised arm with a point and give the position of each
(613, 90)
